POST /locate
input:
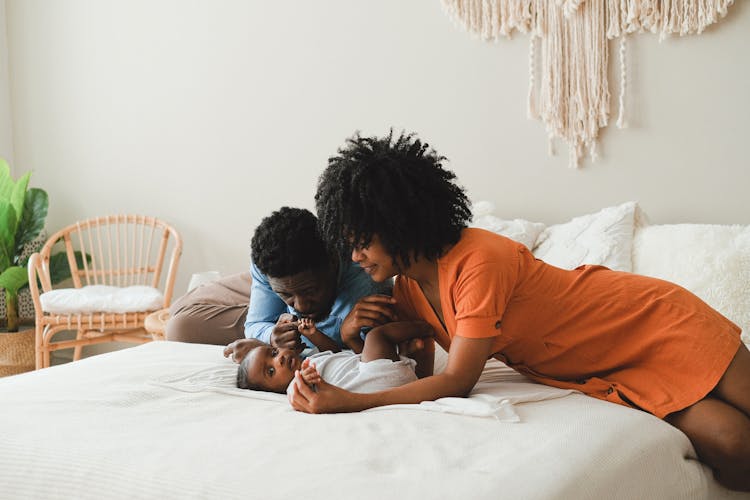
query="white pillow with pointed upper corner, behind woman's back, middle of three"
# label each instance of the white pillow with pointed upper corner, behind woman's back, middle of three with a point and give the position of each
(603, 238)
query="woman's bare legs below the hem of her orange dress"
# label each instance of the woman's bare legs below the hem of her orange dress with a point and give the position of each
(719, 425)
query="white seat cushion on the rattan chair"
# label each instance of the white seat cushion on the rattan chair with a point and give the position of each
(101, 298)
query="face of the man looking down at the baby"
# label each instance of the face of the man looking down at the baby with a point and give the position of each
(310, 293)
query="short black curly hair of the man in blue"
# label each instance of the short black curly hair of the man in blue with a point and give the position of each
(288, 242)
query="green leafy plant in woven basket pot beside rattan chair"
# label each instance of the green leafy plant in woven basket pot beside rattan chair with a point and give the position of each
(23, 211)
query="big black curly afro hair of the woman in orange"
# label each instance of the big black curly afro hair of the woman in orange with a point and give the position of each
(395, 188)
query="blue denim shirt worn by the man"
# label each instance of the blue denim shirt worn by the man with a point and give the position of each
(266, 307)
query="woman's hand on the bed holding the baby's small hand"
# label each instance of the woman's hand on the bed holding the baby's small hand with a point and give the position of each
(325, 398)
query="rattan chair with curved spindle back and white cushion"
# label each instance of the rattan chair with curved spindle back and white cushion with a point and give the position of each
(123, 251)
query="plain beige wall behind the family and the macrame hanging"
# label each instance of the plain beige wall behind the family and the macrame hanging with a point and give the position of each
(212, 113)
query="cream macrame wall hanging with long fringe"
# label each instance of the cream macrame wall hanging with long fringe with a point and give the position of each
(569, 53)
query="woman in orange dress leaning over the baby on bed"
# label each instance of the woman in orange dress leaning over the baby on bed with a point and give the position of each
(620, 337)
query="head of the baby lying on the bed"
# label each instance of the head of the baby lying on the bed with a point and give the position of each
(268, 368)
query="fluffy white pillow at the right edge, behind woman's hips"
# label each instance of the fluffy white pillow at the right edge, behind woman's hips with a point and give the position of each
(712, 261)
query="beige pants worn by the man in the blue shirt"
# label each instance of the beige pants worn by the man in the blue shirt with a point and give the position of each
(213, 313)
